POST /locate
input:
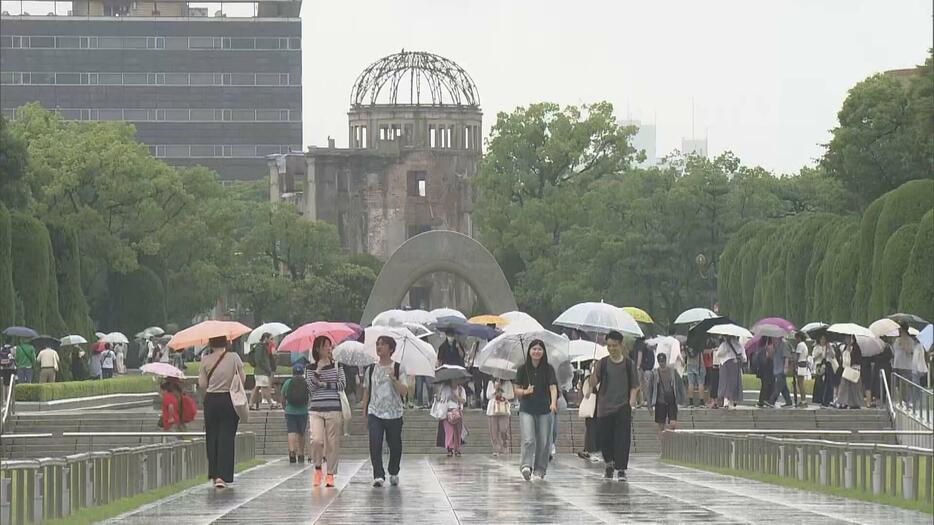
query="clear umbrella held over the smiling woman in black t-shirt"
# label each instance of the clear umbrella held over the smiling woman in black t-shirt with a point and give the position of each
(513, 347)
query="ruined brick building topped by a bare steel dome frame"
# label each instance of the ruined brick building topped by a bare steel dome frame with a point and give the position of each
(414, 136)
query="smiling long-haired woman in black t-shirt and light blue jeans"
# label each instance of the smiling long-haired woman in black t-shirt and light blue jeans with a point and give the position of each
(537, 389)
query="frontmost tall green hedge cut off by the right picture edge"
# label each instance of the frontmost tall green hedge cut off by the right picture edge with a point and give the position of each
(917, 293)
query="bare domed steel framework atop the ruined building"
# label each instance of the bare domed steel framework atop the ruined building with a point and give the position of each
(421, 78)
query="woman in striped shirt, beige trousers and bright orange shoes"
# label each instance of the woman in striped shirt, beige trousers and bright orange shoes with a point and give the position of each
(325, 383)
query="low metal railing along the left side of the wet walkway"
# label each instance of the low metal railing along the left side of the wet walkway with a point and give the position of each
(32, 491)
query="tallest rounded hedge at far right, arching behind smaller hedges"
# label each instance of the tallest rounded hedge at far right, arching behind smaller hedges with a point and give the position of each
(904, 205)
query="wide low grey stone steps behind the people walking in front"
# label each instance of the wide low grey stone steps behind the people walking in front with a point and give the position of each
(419, 429)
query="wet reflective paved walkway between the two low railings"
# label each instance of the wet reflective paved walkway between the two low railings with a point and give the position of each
(479, 489)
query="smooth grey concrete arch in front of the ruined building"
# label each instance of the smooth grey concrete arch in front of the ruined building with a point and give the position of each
(440, 251)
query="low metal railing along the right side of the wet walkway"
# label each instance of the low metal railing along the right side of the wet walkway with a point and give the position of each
(895, 470)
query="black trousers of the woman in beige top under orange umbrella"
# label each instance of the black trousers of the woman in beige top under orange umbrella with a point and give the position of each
(220, 429)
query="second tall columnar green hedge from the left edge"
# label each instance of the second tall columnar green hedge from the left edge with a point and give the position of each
(31, 268)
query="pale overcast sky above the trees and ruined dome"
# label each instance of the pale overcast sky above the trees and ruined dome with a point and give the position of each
(767, 78)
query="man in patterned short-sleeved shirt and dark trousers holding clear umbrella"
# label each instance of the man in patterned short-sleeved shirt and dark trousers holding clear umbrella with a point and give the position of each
(384, 389)
